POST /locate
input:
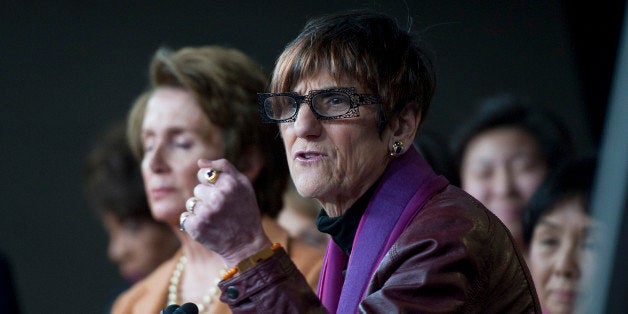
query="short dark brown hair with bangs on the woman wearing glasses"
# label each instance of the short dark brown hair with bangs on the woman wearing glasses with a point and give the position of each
(366, 46)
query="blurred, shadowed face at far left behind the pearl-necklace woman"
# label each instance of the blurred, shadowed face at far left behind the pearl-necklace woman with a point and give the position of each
(138, 246)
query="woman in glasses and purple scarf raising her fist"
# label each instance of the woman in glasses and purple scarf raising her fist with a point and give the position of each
(349, 94)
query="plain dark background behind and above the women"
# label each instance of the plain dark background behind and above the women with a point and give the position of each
(67, 69)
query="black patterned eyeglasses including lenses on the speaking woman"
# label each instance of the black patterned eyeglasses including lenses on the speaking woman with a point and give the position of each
(327, 104)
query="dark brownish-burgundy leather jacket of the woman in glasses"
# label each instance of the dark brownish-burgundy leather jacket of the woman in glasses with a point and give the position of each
(454, 257)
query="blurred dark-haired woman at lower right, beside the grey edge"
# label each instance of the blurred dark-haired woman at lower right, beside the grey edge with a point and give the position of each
(560, 234)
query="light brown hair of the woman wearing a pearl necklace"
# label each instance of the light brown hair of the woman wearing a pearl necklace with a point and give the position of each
(224, 81)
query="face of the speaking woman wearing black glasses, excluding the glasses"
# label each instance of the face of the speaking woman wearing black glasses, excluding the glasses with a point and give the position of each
(334, 161)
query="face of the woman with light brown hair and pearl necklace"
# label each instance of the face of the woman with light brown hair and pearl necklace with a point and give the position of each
(175, 135)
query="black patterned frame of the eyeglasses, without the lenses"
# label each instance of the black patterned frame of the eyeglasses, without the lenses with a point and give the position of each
(355, 98)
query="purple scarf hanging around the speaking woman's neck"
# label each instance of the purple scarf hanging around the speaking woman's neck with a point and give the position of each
(405, 187)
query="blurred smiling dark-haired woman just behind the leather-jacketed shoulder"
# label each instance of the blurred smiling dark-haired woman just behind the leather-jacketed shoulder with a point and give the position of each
(503, 152)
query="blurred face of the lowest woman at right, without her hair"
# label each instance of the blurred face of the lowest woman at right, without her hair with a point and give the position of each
(560, 250)
